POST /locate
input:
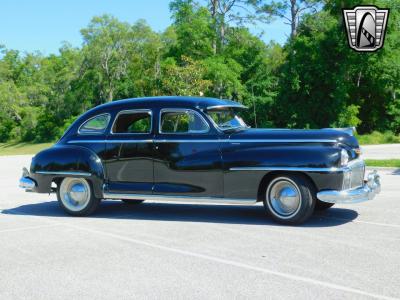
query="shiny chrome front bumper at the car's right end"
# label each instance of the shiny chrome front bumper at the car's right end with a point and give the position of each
(367, 191)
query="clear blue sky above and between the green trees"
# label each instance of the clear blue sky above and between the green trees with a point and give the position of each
(43, 25)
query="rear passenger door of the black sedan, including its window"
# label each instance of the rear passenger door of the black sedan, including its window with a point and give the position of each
(130, 151)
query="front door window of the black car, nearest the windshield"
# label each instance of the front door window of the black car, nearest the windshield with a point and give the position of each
(182, 121)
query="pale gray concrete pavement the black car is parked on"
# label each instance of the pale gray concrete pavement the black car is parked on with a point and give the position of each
(177, 251)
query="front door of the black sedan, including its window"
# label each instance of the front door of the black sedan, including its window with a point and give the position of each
(187, 155)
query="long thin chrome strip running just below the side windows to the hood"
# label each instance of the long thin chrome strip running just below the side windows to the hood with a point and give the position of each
(201, 141)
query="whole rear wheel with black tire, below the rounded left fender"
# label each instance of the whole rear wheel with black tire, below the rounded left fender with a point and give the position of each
(76, 197)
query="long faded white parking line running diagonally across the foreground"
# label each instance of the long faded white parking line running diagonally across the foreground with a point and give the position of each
(235, 264)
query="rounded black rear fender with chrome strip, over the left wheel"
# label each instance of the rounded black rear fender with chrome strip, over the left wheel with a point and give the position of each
(62, 161)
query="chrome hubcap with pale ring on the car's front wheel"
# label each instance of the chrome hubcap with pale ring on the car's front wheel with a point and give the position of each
(283, 197)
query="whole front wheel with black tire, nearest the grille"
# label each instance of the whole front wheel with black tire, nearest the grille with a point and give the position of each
(289, 199)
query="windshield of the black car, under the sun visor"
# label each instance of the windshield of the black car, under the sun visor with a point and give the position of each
(227, 118)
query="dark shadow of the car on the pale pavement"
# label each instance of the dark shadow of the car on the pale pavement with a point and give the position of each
(230, 214)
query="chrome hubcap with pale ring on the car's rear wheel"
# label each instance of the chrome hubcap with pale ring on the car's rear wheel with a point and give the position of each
(75, 193)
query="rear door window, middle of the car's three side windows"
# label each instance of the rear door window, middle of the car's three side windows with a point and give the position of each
(131, 122)
